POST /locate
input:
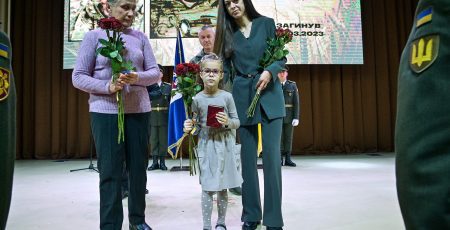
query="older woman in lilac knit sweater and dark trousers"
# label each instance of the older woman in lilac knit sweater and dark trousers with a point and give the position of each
(92, 74)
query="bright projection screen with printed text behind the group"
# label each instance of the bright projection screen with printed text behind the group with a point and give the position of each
(325, 31)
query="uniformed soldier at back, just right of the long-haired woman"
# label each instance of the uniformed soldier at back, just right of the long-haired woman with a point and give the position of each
(292, 106)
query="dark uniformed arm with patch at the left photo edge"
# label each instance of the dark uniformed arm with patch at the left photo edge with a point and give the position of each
(7, 127)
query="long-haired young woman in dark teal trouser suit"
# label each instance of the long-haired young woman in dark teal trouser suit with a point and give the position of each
(241, 37)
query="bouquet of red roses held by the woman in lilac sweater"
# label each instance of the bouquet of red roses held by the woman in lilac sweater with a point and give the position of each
(114, 48)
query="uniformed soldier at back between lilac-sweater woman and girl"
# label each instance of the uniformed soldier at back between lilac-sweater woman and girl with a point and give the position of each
(159, 94)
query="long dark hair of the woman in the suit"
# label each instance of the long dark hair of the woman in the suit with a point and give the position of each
(223, 43)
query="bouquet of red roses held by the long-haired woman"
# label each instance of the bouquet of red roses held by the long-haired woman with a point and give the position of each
(275, 51)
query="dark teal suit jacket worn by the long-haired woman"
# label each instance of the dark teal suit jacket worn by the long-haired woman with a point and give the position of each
(245, 59)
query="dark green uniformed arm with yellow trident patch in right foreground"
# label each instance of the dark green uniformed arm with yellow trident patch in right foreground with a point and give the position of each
(422, 137)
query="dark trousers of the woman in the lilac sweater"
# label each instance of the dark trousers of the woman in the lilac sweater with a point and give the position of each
(111, 156)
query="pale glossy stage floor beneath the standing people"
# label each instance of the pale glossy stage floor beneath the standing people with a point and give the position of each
(345, 192)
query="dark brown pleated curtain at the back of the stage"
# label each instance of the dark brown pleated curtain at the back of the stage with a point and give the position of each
(344, 108)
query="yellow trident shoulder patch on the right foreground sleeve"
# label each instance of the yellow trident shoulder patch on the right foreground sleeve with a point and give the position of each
(424, 52)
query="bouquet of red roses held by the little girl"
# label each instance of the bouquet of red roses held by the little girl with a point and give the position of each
(188, 87)
